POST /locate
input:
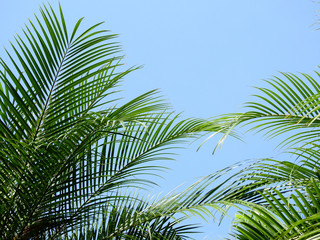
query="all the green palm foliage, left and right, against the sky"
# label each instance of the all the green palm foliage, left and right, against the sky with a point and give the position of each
(73, 160)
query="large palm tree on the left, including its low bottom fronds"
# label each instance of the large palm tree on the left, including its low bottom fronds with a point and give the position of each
(72, 158)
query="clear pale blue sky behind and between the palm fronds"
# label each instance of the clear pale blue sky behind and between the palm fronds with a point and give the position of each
(205, 56)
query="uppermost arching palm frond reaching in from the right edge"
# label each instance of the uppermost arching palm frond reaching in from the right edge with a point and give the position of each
(285, 106)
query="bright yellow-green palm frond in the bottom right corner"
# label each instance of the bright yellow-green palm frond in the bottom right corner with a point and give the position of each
(294, 217)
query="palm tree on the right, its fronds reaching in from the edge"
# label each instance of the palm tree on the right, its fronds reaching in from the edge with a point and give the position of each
(283, 197)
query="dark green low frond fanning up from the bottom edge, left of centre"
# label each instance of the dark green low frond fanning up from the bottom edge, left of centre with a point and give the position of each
(131, 219)
